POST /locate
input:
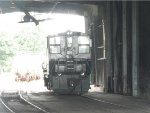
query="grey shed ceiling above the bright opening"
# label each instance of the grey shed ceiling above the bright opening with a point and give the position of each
(43, 6)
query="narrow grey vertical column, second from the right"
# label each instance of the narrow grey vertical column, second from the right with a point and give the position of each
(125, 54)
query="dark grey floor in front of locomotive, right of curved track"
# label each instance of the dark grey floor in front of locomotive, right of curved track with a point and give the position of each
(105, 103)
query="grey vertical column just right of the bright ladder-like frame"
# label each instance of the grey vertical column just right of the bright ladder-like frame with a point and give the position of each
(108, 35)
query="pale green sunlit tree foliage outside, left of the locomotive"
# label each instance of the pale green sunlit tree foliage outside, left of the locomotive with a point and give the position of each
(27, 39)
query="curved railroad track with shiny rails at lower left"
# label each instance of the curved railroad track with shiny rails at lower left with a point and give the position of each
(16, 103)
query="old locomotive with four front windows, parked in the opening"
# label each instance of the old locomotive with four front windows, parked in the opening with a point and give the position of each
(69, 65)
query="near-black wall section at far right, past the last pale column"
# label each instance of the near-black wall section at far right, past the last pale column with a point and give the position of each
(144, 38)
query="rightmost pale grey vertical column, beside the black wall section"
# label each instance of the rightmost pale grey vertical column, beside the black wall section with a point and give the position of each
(135, 49)
